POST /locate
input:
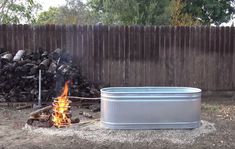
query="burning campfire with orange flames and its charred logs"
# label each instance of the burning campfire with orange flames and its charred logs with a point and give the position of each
(58, 114)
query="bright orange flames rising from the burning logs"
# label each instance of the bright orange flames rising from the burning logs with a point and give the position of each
(61, 113)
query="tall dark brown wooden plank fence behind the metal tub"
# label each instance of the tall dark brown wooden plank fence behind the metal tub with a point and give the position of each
(138, 55)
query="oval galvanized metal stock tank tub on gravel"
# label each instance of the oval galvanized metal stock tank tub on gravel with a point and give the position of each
(150, 107)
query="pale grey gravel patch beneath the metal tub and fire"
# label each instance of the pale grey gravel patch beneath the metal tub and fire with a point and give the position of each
(92, 131)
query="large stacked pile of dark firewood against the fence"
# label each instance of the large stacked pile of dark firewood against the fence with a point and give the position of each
(19, 75)
